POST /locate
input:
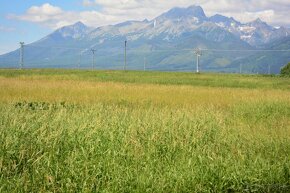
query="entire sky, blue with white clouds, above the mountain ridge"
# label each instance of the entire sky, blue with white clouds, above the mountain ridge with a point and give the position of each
(31, 20)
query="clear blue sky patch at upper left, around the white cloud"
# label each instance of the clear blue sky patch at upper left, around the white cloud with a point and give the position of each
(12, 31)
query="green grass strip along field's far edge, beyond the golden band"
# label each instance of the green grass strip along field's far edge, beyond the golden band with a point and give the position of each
(163, 78)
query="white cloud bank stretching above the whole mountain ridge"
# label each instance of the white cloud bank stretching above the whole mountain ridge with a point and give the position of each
(275, 12)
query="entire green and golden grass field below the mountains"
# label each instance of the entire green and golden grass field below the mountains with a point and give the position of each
(110, 131)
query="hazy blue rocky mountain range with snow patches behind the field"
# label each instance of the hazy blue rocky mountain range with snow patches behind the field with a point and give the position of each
(166, 42)
